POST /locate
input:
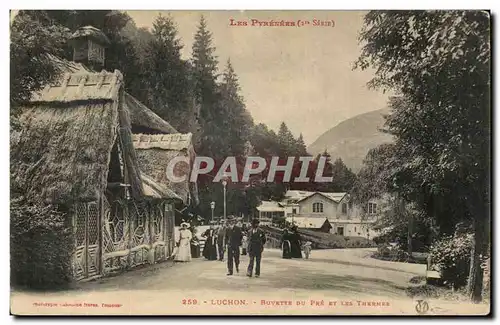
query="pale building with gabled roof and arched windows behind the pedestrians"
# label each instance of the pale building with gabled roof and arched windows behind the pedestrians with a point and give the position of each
(345, 218)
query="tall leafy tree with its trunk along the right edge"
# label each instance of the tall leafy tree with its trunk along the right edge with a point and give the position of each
(439, 62)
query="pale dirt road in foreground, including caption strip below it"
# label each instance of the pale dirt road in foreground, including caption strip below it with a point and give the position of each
(331, 282)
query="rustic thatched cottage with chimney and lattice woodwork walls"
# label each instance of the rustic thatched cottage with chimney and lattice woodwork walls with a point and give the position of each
(75, 149)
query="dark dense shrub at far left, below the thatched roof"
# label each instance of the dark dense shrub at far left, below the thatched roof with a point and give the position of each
(41, 246)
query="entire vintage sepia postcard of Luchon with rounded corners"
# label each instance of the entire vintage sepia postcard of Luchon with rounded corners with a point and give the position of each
(250, 162)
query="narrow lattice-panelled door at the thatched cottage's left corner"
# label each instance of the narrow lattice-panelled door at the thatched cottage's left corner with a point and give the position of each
(86, 226)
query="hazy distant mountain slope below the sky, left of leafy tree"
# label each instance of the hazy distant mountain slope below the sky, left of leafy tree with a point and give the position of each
(353, 138)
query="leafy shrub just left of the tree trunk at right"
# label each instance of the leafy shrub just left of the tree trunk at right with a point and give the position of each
(451, 255)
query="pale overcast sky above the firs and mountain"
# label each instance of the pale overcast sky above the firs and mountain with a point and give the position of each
(302, 76)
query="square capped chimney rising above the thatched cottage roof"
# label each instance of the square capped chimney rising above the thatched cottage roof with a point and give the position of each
(89, 44)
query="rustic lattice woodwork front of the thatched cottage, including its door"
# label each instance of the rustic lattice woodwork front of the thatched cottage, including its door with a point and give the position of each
(112, 237)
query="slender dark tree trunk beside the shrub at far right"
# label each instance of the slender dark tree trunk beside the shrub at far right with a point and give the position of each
(475, 281)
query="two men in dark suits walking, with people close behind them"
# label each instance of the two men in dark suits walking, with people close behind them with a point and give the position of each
(231, 237)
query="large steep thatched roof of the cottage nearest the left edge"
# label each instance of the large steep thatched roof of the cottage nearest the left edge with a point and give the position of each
(67, 133)
